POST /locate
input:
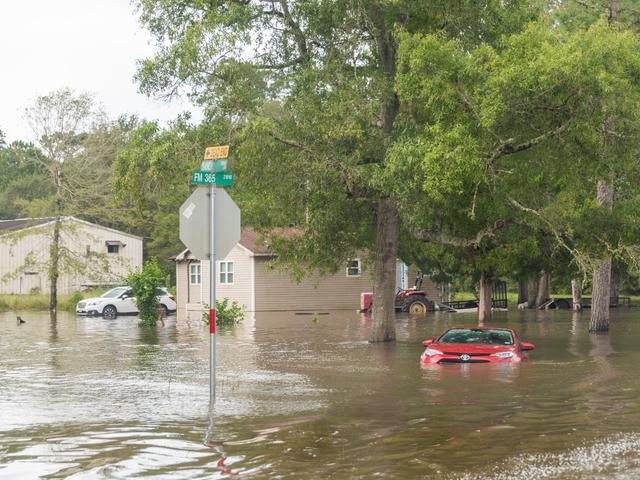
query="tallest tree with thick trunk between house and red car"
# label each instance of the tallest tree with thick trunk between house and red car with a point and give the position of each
(313, 83)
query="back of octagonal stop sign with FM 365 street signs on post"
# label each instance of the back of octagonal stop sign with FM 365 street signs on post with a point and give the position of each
(210, 226)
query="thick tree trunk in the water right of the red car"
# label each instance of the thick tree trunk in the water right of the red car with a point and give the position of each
(601, 291)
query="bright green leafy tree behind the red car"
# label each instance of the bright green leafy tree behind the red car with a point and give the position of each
(497, 137)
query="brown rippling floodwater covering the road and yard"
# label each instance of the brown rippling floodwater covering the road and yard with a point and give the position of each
(297, 398)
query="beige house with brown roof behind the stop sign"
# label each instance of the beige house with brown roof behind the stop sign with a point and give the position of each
(246, 276)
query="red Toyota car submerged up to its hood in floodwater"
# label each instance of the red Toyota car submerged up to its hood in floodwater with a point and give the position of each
(475, 345)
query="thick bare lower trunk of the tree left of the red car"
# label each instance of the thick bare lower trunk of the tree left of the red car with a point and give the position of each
(384, 316)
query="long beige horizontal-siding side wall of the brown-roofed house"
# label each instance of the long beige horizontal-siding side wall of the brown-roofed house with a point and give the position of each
(276, 291)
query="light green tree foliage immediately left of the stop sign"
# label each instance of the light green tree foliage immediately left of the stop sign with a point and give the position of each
(154, 157)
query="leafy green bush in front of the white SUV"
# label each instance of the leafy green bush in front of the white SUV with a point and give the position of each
(144, 285)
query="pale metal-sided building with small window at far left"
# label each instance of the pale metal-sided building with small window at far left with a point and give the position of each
(90, 255)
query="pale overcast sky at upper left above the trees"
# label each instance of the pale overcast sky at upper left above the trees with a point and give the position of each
(87, 45)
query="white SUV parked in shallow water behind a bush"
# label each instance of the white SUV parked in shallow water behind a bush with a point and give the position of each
(120, 300)
